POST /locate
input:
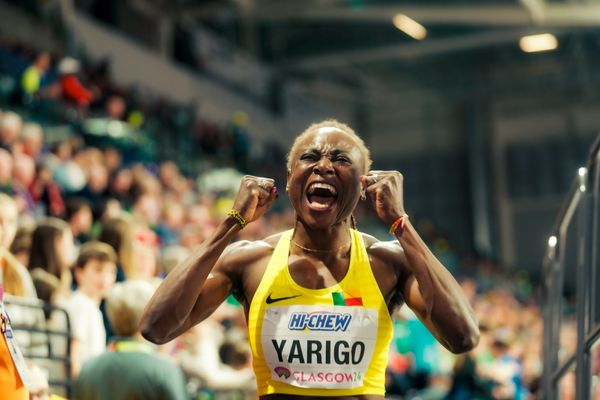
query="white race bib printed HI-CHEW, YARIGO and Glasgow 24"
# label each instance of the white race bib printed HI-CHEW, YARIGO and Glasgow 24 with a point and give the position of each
(325, 347)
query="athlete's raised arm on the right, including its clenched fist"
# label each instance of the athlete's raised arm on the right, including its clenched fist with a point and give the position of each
(428, 288)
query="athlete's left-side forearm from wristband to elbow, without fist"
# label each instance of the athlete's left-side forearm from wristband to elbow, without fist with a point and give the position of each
(171, 306)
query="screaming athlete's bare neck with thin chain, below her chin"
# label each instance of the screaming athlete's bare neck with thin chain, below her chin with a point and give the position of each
(333, 239)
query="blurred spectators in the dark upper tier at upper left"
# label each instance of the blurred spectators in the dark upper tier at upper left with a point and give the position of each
(53, 88)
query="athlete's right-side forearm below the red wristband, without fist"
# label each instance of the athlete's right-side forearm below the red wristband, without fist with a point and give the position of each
(447, 309)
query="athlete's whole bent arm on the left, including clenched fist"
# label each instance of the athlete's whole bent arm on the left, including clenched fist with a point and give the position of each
(187, 295)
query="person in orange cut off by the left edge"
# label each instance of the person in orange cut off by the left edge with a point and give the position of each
(11, 385)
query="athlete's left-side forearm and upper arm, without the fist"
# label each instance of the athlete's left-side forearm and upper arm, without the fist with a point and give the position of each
(186, 296)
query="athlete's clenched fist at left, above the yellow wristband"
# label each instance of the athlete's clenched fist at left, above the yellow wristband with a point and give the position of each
(255, 196)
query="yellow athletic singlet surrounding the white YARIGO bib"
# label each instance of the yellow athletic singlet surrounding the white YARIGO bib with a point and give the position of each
(359, 283)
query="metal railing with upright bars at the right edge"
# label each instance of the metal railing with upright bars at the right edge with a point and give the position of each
(571, 348)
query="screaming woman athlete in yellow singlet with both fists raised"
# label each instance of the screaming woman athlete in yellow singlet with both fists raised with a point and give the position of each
(317, 298)
